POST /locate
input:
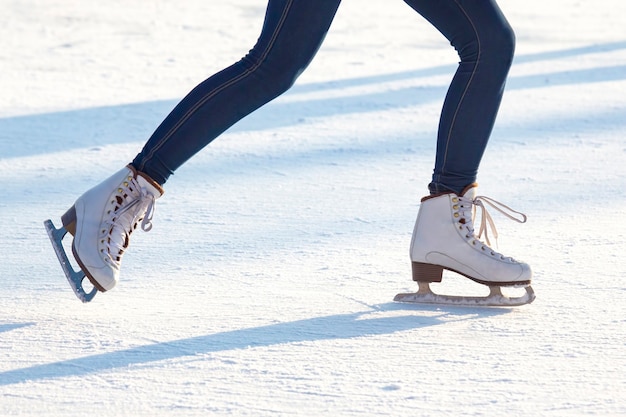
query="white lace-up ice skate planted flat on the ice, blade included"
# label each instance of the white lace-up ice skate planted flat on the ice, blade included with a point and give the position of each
(444, 238)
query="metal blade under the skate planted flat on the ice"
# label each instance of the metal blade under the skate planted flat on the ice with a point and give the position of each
(495, 298)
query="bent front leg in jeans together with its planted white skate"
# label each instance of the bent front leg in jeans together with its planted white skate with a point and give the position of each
(444, 237)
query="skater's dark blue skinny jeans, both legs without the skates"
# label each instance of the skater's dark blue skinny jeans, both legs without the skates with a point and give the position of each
(293, 32)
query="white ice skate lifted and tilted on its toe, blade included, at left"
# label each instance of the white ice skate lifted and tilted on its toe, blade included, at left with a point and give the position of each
(101, 221)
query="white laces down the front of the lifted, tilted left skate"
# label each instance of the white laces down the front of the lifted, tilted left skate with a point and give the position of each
(130, 205)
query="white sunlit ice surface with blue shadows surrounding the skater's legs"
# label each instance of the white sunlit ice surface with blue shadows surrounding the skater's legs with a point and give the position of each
(265, 286)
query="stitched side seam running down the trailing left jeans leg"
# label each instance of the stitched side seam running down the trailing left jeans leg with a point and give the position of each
(209, 95)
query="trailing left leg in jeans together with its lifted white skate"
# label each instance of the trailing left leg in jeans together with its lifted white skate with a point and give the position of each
(103, 218)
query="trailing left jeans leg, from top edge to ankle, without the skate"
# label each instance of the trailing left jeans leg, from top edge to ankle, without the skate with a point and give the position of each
(292, 33)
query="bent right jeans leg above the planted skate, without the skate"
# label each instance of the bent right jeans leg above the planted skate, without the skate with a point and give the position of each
(485, 43)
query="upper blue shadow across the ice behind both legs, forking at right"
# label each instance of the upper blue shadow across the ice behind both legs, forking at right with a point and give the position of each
(86, 128)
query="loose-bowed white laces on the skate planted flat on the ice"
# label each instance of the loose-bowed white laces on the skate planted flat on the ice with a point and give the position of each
(486, 221)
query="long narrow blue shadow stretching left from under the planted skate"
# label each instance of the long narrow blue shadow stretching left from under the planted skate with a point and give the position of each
(335, 327)
